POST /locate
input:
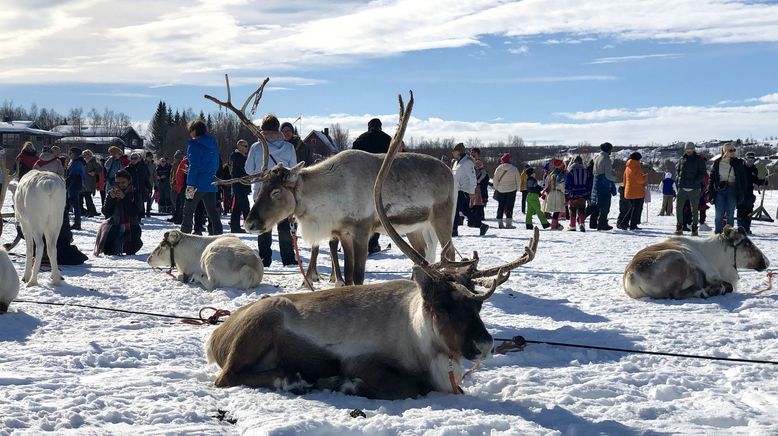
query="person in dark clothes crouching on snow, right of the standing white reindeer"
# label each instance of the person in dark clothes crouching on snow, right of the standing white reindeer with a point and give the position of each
(120, 234)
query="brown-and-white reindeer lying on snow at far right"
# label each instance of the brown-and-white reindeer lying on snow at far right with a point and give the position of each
(686, 267)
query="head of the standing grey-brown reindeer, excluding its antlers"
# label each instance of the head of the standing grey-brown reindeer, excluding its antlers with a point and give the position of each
(275, 201)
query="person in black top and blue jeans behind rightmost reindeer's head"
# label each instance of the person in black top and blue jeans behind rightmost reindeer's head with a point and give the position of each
(728, 179)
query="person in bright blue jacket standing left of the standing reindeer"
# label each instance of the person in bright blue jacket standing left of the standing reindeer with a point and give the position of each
(203, 155)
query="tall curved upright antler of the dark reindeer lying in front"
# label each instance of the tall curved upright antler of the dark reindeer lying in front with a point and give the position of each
(394, 146)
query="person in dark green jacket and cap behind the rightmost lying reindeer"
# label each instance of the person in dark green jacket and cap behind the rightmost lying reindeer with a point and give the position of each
(690, 173)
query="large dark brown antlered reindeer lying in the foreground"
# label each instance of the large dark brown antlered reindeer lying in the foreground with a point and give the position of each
(390, 340)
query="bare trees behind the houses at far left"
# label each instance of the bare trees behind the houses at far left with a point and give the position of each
(47, 119)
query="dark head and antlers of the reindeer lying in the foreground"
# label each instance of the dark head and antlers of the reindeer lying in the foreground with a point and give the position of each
(447, 287)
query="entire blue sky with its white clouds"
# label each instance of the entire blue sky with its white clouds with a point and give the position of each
(552, 71)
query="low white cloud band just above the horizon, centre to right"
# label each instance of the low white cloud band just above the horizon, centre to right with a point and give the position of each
(620, 126)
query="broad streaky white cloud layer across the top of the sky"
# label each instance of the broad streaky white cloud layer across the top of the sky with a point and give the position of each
(185, 42)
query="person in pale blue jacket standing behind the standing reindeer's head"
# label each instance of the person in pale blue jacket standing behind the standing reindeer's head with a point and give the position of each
(279, 152)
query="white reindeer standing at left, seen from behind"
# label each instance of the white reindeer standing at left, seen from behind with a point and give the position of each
(39, 203)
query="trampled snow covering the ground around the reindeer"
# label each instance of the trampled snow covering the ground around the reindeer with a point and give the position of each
(80, 371)
